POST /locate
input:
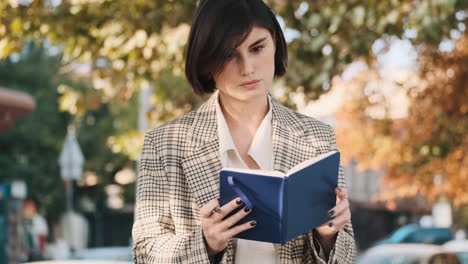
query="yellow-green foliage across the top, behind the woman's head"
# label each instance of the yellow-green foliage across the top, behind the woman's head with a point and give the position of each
(128, 41)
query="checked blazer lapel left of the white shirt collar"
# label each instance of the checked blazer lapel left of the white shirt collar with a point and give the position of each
(201, 167)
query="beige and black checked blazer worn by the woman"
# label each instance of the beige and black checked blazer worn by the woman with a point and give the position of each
(179, 170)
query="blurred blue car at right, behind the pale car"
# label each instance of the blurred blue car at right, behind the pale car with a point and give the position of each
(416, 234)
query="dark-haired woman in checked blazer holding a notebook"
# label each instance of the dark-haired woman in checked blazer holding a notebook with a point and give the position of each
(235, 49)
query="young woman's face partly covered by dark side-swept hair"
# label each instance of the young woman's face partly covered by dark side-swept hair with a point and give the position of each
(249, 72)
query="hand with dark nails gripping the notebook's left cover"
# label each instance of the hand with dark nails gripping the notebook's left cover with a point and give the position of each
(217, 231)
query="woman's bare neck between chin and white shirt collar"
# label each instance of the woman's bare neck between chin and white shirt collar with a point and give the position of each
(248, 114)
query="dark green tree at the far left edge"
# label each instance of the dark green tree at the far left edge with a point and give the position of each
(36, 136)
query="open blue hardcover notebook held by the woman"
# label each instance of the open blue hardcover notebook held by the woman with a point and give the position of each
(284, 205)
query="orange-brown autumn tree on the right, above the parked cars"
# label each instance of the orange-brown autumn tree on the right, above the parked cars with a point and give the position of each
(432, 139)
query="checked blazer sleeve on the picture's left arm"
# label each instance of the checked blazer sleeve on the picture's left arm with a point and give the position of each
(155, 239)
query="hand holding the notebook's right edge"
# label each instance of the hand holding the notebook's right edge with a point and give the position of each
(340, 215)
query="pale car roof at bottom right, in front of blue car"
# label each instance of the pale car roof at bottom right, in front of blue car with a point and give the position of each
(408, 254)
